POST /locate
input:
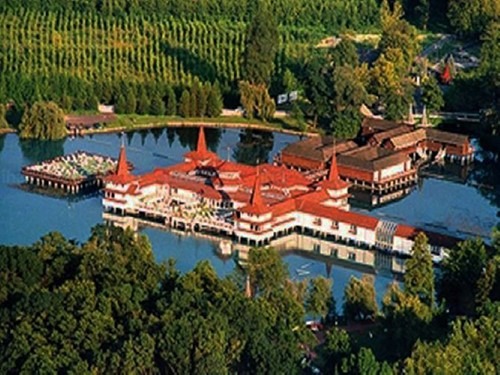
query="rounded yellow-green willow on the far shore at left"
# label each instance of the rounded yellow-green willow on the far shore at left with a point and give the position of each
(43, 121)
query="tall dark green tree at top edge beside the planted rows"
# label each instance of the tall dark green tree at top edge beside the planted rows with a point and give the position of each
(261, 45)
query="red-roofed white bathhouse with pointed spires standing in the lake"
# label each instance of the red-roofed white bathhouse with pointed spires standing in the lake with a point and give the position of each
(256, 206)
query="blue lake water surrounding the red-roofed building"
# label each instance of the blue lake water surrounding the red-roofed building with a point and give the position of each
(467, 205)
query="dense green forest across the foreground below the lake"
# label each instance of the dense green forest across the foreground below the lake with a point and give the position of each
(106, 306)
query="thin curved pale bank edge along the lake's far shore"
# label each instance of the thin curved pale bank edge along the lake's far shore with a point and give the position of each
(180, 124)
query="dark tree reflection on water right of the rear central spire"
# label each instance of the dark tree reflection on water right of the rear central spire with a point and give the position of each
(254, 147)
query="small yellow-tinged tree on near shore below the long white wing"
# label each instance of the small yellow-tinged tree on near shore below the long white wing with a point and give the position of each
(359, 299)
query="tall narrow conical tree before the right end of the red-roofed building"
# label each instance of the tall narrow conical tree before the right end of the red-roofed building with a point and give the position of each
(419, 273)
